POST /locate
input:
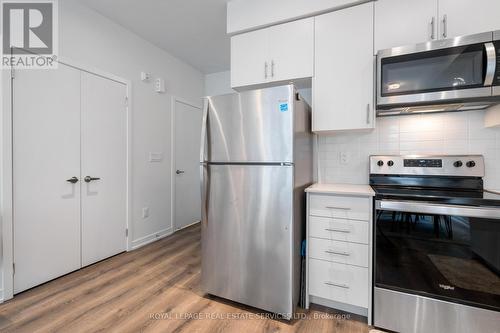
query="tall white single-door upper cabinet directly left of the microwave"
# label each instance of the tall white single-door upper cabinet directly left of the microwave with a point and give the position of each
(343, 70)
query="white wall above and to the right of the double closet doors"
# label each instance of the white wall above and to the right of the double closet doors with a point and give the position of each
(92, 39)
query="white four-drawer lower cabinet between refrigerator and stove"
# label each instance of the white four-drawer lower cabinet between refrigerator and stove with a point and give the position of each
(339, 250)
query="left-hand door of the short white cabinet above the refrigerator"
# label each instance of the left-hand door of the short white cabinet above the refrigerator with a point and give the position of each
(249, 58)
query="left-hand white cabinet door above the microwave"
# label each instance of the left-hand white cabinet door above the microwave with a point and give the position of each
(406, 22)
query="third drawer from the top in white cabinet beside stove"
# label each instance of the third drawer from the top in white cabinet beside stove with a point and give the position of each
(337, 251)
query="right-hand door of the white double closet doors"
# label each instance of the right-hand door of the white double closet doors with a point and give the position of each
(104, 156)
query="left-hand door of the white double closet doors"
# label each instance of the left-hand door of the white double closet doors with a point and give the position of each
(46, 149)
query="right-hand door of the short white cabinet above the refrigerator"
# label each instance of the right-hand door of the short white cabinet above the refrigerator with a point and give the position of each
(291, 47)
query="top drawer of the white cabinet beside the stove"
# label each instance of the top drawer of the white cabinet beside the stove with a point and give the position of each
(344, 207)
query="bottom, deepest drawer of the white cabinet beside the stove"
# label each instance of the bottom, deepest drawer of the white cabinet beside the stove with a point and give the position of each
(338, 282)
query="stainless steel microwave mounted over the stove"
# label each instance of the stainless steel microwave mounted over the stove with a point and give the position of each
(461, 73)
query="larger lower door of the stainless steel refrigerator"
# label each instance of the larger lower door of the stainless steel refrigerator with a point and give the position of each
(247, 235)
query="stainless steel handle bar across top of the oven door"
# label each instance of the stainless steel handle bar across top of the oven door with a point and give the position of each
(438, 209)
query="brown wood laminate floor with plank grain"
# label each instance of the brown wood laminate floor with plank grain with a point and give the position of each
(153, 289)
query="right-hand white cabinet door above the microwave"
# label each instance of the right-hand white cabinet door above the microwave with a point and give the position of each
(467, 17)
